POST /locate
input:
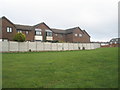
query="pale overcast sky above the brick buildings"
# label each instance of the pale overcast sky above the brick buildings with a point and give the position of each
(98, 17)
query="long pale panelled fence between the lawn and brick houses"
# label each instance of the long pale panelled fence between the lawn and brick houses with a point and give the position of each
(10, 46)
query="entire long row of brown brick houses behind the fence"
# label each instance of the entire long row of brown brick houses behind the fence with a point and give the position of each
(41, 32)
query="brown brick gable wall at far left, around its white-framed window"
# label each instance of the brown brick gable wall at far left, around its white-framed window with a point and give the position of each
(5, 34)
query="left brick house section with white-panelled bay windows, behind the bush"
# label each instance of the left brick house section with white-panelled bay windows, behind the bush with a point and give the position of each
(39, 32)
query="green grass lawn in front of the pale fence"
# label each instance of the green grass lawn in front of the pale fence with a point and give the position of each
(67, 69)
